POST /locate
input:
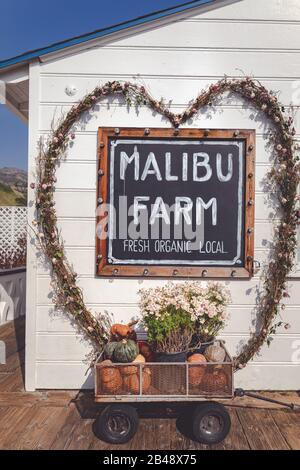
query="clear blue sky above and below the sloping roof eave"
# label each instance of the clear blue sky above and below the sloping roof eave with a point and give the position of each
(29, 24)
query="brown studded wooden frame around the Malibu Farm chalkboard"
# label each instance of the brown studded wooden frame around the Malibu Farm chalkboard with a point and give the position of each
(180, 271)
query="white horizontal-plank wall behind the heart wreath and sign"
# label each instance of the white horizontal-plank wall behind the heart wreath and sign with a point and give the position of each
(174, 61)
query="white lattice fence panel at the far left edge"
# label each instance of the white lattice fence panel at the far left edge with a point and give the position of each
(13, 222)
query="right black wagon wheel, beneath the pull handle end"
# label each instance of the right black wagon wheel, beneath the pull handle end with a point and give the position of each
(211, 423)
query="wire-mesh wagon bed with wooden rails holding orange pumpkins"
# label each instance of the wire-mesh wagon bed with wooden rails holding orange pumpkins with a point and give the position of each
(158, 381)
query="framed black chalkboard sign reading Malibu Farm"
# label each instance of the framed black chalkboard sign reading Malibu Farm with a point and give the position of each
(175, 202)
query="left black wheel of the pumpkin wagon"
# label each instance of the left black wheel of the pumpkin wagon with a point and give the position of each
(117, 424)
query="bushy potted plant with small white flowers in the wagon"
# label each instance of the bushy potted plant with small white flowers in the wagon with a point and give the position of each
(178, 316)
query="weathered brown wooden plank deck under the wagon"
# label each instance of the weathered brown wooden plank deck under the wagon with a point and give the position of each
(63, 420)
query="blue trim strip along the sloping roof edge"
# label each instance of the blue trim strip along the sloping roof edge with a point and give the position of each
(27, 56)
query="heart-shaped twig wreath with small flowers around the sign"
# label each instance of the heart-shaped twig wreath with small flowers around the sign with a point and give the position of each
(284, 175)
